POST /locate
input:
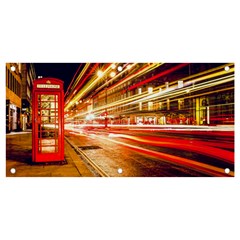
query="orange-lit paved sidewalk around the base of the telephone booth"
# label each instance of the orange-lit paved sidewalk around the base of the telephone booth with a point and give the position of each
(19, 160)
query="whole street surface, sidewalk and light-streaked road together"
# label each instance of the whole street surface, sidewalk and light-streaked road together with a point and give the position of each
(131, 152)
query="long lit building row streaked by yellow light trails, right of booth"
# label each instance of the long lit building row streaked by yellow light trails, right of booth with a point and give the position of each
(159, 94)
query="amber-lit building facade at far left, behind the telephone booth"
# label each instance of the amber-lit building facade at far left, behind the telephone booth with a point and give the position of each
(19, 77)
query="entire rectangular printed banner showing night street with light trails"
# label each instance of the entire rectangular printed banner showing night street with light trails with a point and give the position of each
(120, 119)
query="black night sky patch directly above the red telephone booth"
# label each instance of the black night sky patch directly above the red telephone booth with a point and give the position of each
(63, 71)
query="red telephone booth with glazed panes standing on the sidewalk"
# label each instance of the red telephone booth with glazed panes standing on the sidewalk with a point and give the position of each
(47, 120)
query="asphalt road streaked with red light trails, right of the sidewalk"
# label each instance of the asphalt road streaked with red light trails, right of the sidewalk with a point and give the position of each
(150, 153)
